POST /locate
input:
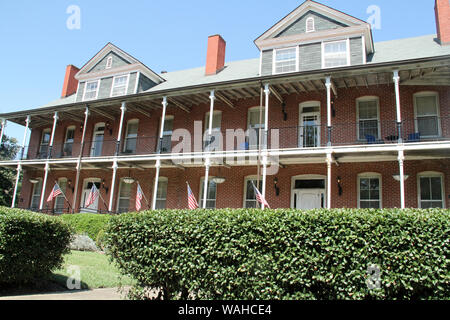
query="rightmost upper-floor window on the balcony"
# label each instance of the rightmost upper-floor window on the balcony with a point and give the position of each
(427, 114)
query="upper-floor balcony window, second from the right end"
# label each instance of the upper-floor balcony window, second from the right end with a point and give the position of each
(368, 119)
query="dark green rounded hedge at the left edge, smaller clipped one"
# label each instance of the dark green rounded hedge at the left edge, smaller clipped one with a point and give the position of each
(31, 245)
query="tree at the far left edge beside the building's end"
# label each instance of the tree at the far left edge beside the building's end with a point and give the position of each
(8, 151)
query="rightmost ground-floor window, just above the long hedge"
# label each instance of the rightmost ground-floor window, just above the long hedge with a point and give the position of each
(431, 190)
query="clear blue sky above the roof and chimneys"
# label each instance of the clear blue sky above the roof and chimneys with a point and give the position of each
(164, 34)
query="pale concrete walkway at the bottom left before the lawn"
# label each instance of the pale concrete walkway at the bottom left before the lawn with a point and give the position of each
(96, 294)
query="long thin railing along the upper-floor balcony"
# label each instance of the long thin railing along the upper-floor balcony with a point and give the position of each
(368, 132)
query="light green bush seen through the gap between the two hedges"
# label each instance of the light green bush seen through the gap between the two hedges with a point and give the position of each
(87, 223)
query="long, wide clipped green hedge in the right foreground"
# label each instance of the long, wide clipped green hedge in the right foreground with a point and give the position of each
(284, 254)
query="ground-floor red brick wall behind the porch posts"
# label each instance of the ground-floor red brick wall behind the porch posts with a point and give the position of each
(230, 194)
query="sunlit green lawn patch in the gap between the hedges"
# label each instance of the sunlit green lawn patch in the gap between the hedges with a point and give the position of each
(96, 271)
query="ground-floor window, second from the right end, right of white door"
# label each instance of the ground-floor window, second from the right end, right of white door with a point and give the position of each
(369, 186)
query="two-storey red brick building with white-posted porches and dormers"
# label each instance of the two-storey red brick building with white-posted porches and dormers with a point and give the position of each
(324, 117)
